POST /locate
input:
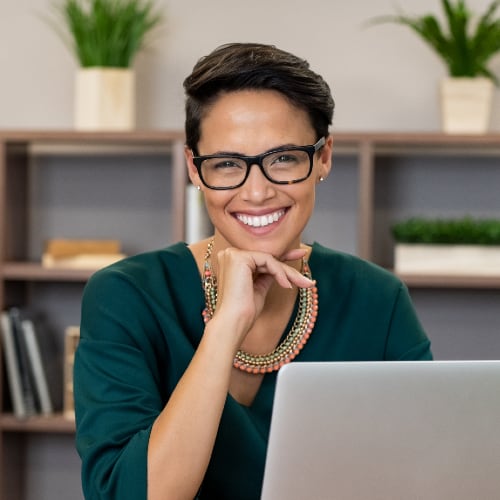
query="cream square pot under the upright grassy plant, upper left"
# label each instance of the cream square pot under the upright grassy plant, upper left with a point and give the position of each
(105, 99)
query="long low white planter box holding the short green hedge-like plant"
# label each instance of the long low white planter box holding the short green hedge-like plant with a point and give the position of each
(460, 260)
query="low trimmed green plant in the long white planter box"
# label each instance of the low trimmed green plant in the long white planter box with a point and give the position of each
(459, 231)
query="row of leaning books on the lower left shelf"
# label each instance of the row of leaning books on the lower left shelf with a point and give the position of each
(26, 375)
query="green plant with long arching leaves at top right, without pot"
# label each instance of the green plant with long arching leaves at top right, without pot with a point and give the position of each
(466, 43)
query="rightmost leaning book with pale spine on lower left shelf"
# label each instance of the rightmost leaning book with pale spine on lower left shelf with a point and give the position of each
(37, 368)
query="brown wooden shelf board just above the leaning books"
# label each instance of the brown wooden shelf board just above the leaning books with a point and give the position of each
(34, 271)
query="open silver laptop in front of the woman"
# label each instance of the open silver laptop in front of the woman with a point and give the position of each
(424, 430)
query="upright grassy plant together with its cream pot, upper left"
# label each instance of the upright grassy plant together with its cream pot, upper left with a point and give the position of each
(105, 37)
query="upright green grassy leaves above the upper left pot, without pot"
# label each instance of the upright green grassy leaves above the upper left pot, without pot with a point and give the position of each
(106, 33)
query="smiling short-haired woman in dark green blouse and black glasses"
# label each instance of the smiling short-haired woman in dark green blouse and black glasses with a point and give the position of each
(176, 366)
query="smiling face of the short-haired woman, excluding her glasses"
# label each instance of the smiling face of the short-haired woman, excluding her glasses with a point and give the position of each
(250, 123)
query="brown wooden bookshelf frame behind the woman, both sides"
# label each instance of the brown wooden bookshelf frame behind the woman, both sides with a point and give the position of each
(20, 273)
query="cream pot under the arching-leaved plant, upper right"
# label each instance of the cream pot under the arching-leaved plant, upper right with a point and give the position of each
(466, 105)
